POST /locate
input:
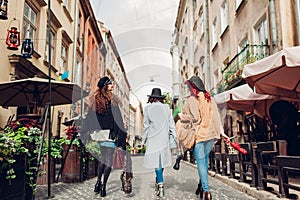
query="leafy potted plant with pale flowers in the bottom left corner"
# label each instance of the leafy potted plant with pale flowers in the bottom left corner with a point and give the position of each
(19, 146)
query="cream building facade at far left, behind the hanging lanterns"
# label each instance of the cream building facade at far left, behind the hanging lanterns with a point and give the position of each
(52, 49)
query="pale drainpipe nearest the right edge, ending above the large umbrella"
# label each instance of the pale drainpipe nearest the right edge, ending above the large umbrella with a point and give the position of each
(273, 27)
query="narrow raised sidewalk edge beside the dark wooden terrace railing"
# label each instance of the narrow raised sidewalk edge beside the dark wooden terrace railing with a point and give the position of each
(245, 187)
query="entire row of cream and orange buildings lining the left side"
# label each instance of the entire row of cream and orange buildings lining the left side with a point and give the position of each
(79, 48)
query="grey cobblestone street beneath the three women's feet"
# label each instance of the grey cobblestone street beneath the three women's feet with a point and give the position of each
(178, 185)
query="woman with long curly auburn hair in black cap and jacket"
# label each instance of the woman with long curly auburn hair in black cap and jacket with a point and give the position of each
(104, 114)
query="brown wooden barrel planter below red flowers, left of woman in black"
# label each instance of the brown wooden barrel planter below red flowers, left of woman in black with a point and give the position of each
(71, 170)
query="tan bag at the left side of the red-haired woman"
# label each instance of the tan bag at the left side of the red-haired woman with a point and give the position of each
(186, 135)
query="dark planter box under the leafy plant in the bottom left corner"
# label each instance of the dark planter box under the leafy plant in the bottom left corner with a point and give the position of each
(13, 189)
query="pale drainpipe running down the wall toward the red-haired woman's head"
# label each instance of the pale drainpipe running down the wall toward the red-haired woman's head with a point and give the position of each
(207, 47)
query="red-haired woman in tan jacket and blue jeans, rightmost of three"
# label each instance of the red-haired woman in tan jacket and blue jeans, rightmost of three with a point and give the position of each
(202, 111)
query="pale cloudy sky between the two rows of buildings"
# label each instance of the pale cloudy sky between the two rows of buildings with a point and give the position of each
(142, 31)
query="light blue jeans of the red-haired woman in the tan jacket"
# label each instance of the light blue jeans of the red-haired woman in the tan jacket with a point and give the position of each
(201, 153)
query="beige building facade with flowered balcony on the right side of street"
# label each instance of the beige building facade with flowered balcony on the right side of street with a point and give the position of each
(216, 38)
